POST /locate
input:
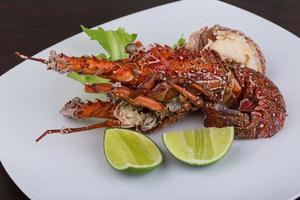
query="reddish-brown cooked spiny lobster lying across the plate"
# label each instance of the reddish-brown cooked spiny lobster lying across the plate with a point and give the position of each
(157, 86)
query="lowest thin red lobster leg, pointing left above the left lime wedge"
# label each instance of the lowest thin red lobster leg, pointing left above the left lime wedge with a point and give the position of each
(107, 123)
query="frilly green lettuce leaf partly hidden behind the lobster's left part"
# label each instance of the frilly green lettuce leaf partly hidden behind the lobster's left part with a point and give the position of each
(114, 42)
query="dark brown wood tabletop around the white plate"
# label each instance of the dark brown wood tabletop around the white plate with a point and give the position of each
(34, 25)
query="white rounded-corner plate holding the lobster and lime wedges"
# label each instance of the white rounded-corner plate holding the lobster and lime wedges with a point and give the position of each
(74, 167)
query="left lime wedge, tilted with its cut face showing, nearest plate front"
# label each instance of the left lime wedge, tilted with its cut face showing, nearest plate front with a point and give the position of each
(127, 150)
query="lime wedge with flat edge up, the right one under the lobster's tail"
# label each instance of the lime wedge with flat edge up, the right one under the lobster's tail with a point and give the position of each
(200, 146)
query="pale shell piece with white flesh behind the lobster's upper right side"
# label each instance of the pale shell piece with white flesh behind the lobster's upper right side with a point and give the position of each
(223, 40)
